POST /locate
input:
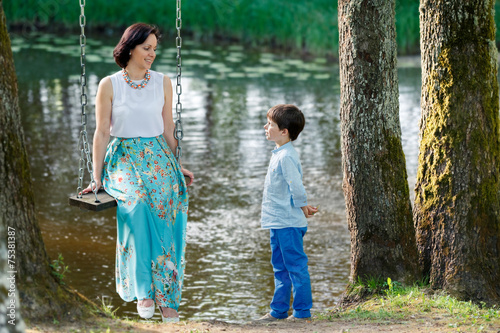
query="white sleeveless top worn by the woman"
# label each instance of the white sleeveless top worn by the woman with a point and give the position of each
(137, 113)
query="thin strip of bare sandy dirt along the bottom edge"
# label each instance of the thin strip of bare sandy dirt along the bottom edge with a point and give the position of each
(427, 323)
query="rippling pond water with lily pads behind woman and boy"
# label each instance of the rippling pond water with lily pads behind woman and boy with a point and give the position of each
(226, 93)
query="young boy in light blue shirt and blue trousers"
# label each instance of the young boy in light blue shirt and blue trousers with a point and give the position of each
(284, 213)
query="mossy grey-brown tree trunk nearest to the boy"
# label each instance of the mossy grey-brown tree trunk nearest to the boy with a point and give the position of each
(375, 183)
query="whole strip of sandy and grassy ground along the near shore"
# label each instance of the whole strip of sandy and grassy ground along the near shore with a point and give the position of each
(391, 307)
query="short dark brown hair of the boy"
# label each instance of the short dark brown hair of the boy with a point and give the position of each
(288, 116)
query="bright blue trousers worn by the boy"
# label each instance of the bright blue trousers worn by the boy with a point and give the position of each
(290, 269)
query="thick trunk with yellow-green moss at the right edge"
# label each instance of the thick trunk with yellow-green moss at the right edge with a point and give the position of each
(457, 202)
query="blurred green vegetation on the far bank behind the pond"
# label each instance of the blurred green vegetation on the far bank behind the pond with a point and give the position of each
(298, 26)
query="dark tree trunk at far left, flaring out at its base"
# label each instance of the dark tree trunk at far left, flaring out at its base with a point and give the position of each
(41, 296)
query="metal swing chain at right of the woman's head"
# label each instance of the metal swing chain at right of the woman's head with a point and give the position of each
(178, 133)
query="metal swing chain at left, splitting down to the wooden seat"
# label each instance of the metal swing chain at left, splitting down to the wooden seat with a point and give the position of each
(83, 141)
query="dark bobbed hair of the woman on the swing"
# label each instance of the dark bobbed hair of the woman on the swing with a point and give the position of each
(134, 35)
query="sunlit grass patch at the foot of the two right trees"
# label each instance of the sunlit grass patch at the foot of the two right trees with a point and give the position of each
(392, 302)
